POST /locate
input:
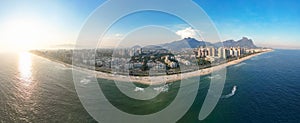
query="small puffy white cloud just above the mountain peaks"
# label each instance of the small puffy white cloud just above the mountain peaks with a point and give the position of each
(188, 32)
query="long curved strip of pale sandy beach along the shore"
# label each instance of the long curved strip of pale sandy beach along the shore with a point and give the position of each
(156, 80)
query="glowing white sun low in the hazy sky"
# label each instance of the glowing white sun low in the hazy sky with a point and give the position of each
(24, 33)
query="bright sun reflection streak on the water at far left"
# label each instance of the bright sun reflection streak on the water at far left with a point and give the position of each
(25, 67)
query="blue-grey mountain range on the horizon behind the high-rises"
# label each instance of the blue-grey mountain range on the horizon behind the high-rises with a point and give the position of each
(194, 43)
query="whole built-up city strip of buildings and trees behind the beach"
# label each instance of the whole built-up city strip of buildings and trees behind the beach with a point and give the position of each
(137, 59)
